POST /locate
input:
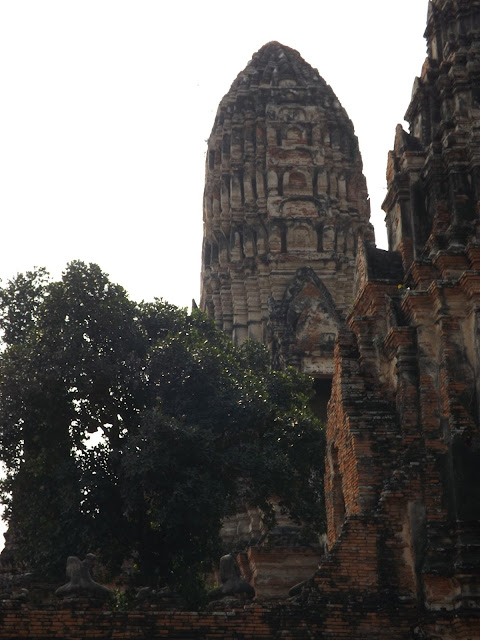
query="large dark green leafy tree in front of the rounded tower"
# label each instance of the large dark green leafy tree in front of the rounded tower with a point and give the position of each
(134, 429)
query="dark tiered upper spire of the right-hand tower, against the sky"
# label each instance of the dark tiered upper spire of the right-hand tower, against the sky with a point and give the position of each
(433, 172)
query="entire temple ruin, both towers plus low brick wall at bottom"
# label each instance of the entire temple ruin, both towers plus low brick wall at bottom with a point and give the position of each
(289, 259)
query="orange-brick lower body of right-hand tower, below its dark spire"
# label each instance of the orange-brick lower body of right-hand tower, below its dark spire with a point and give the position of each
(403, 441)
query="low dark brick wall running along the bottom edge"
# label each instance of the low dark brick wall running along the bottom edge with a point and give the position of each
(358, 617)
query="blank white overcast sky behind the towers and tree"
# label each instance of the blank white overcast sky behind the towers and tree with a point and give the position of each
(106, 106)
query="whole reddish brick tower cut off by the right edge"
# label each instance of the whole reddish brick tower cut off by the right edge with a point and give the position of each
(403, 435)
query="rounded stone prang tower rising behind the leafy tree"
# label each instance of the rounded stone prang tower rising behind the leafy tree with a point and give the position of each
(285, 205)
